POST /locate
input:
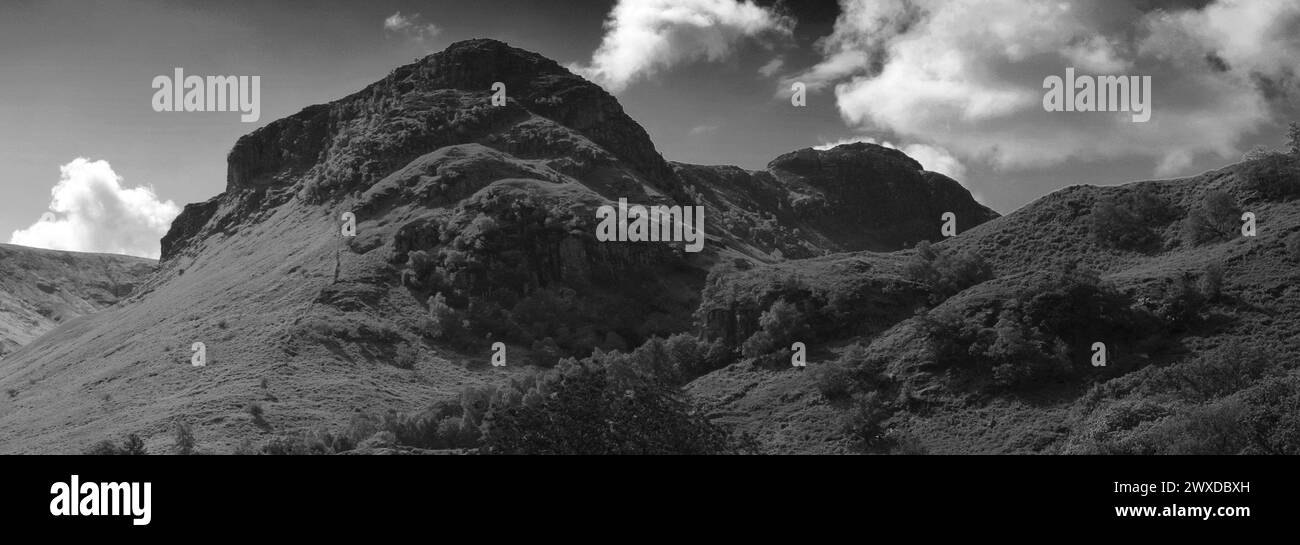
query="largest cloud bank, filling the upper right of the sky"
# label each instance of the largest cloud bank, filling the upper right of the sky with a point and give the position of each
(967, 76)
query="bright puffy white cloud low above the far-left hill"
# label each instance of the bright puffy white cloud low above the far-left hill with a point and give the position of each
(92, 211)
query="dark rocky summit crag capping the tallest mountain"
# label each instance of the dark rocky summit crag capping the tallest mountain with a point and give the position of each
(444, 100)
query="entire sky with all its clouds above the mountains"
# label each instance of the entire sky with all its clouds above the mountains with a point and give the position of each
(88, 163)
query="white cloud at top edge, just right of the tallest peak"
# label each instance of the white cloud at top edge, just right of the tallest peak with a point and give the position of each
(644, 37)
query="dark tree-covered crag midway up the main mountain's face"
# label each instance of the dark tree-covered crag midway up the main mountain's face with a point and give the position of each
(522, 266)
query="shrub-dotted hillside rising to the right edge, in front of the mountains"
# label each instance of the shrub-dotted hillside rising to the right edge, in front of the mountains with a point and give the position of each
(1201, 336)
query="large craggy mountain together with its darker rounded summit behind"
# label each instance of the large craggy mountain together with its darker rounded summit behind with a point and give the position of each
(475, 226)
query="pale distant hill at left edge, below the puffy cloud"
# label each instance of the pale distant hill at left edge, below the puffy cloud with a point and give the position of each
(41, 289)
